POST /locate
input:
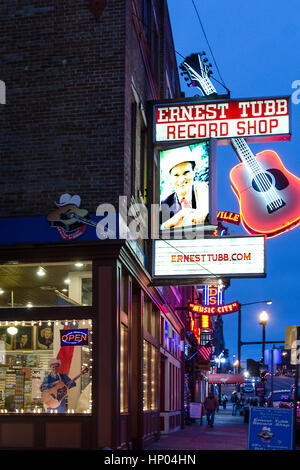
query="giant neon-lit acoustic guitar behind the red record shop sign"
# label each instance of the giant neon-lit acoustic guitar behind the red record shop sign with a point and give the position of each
(268, 194)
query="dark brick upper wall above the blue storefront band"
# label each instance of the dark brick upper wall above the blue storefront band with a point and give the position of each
(66, 127)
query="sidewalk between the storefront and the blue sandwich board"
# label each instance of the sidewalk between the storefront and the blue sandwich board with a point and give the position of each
(229, 433)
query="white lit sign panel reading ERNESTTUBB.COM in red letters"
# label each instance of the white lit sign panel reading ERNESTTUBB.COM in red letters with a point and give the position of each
(210, 257)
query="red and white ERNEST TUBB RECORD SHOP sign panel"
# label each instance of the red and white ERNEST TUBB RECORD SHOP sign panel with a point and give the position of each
(222, 119)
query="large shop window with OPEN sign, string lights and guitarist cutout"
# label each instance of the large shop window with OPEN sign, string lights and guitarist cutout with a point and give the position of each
(45, 367)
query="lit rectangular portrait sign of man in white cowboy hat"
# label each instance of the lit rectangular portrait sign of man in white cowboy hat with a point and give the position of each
(184, 185)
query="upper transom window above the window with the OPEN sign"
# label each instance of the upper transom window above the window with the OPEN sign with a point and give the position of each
(46, 284)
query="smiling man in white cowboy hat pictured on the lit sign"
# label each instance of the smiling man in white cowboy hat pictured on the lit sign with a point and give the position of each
(188, 203)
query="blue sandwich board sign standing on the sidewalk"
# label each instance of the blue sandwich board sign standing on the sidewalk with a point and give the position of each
(270, 429)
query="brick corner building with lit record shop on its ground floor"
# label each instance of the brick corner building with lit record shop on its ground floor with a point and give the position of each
(78, 77)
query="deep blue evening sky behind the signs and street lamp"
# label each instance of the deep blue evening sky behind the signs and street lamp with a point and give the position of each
(256, 47)
